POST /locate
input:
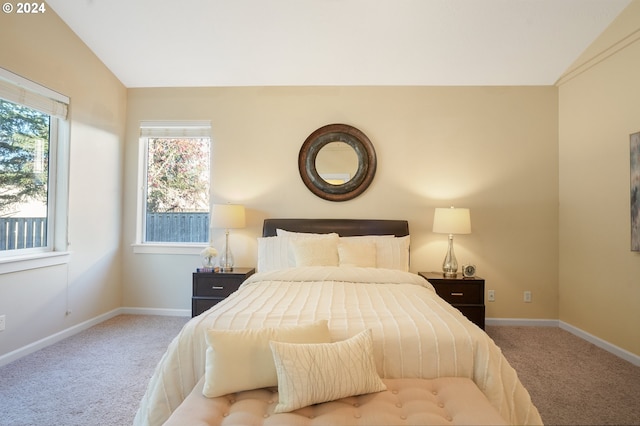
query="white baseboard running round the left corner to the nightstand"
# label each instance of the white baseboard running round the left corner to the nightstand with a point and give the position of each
(61, 335)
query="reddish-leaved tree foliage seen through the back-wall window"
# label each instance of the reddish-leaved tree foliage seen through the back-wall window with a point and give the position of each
(178, 175)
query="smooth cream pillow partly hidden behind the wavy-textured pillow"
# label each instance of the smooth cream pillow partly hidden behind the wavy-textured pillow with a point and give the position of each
(238, 360)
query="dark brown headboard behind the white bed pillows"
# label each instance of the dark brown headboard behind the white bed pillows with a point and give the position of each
(344, 227)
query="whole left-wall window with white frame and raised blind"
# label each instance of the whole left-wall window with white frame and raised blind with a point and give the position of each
(33, 167)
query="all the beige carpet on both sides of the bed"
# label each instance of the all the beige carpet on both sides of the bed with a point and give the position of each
(98, 376)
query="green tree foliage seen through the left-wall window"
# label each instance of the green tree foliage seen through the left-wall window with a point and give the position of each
(24, 151)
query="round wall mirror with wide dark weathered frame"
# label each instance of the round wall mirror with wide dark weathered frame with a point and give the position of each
(337, 162)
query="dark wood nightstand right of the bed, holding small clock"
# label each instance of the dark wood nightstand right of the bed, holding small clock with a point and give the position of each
(464, 294)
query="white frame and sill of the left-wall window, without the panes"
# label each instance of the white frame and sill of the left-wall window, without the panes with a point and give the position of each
(24, 92)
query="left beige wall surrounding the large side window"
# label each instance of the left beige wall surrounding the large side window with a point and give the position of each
(43, 49)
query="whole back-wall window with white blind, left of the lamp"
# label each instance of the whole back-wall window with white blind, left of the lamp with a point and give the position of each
(174, 198)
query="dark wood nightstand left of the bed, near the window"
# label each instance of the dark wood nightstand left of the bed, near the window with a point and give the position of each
(210, 288)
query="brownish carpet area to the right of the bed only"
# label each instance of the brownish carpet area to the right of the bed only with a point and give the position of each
(571, 381)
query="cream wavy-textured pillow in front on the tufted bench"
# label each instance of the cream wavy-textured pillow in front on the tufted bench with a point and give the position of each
(314, 373)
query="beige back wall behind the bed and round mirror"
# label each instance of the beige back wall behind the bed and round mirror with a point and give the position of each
(491, 149)
